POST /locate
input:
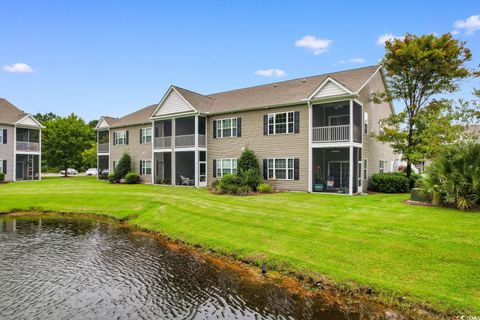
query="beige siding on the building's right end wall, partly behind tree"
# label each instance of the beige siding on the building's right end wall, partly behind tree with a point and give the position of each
(374, 150)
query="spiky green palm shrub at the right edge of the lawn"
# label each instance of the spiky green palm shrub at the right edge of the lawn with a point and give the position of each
(454, 177)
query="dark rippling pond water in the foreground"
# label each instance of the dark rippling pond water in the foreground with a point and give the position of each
(85, 269)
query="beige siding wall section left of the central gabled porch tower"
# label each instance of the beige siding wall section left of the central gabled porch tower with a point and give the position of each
(136, 150)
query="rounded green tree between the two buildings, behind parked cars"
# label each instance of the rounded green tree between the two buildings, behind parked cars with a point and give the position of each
(64, 141)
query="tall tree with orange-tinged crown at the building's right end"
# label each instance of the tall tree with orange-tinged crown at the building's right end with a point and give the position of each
(418, 70)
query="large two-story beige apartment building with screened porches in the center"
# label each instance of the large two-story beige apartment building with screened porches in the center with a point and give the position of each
(309, 134)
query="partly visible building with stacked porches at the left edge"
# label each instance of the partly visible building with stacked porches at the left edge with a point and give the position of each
(20, 144)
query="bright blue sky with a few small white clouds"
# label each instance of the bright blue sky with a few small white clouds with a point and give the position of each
(113, 57)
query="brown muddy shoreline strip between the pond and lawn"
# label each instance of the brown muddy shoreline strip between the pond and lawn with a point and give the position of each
(362, 300)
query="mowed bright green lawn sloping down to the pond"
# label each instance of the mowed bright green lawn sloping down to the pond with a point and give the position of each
(426, 254)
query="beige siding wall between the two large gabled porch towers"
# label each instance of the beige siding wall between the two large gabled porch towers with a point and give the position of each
(264, 146)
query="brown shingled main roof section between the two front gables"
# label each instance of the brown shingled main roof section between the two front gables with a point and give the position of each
(275, 94)
